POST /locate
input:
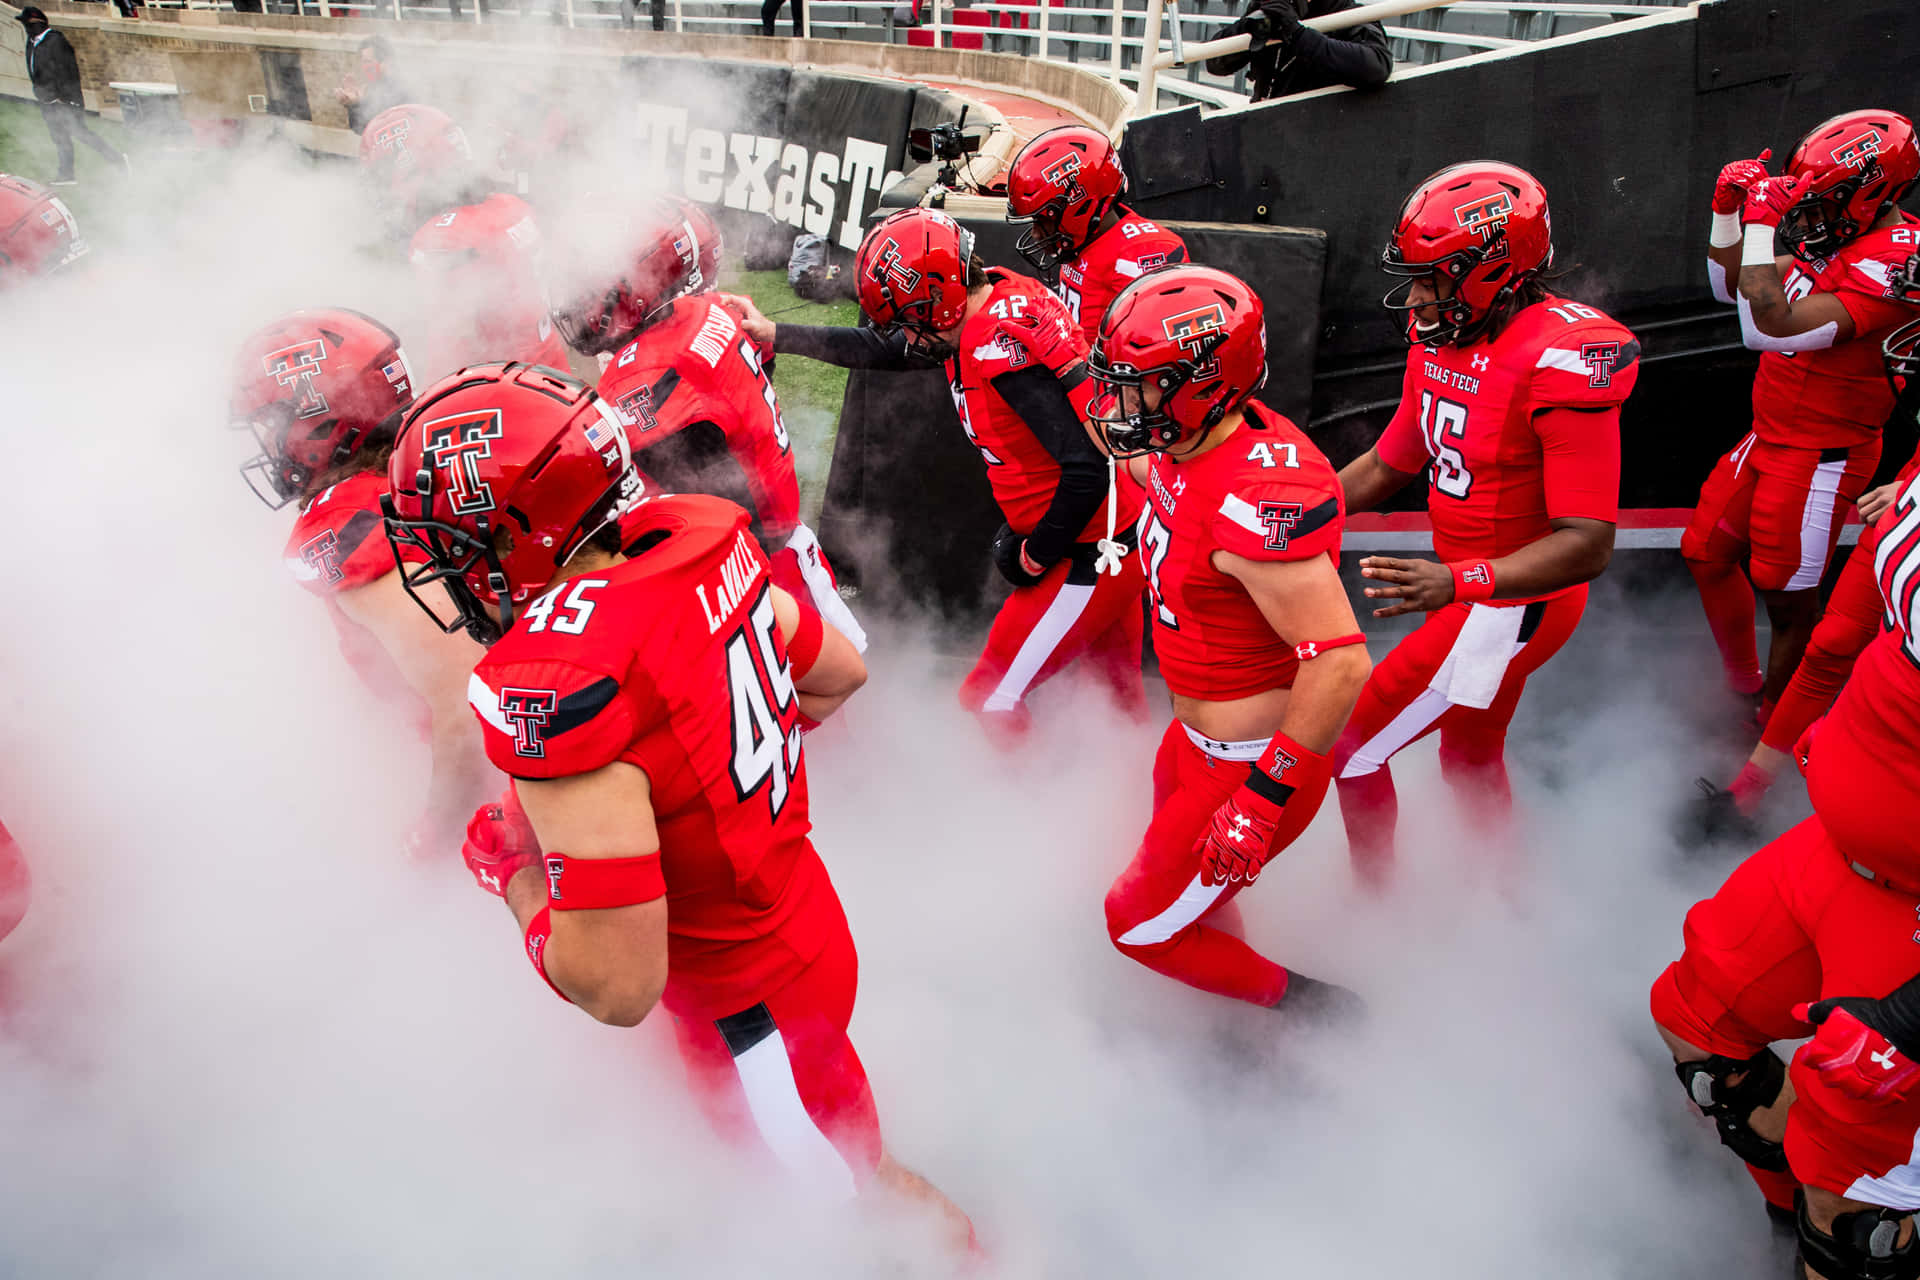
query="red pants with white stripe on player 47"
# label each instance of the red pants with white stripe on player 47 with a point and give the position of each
(1161, 914)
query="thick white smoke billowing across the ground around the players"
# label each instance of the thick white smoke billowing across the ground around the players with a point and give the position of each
(245, 1037)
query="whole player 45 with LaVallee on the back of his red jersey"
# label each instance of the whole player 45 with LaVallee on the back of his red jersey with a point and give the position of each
(648, 705)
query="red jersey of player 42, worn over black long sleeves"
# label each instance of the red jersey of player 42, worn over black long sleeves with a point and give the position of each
(1022, 325)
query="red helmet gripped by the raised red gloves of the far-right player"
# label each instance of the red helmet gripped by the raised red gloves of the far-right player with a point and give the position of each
(1852, 168)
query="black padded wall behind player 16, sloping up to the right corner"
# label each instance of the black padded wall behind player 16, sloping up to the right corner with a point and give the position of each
(1627, 131)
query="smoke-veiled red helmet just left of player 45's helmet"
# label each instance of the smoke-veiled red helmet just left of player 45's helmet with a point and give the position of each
(314, 389)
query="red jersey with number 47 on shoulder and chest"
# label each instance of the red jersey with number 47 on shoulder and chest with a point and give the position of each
(1264, 494)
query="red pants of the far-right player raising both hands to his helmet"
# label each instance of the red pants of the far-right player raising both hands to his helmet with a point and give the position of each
(1781, 510)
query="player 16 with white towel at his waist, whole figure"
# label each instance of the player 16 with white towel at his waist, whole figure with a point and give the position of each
(1512, 406)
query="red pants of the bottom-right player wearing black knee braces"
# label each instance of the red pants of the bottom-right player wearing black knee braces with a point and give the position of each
(1794, 924)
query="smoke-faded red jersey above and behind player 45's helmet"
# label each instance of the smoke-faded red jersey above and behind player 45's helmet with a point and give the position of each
(481, 266)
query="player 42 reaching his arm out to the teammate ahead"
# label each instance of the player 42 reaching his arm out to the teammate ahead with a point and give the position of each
(1019, 375)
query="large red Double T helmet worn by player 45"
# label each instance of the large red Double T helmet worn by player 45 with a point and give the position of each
(502, 473)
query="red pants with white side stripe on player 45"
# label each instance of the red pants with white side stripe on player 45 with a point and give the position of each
(782, 1078)
